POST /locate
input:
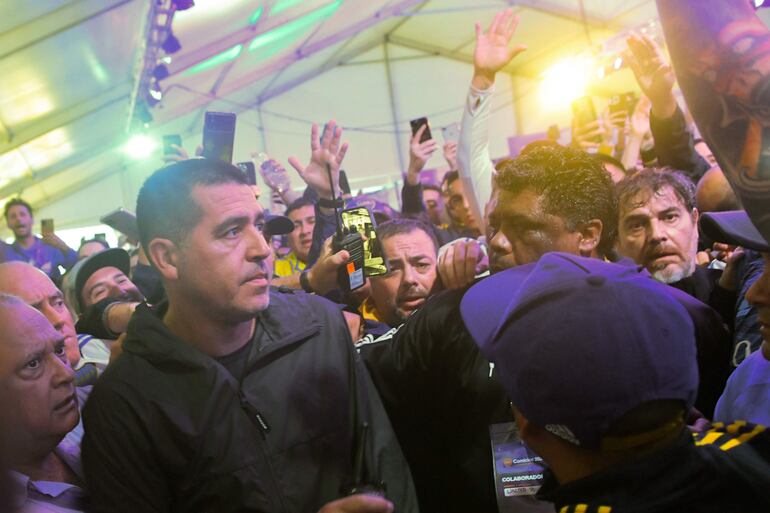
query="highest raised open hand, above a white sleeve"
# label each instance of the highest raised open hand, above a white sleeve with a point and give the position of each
(493, 52)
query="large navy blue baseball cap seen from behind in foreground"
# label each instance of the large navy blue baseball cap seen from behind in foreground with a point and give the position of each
(578, 342)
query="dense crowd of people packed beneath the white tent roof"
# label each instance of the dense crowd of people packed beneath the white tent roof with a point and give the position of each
(608, 306)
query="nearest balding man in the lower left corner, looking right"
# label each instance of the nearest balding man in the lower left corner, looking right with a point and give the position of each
(43, 434)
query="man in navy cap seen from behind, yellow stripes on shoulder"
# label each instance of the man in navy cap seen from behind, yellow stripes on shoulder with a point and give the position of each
(600, 364)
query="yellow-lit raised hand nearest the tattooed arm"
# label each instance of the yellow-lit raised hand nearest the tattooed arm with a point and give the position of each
(653, 72)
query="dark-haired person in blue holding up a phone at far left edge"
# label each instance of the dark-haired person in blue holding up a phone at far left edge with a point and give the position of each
(46, 253)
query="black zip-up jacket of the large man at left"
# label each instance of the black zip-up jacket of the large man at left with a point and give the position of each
(170, 429)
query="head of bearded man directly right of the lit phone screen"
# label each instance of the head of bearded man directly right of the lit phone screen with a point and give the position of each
(410, 248)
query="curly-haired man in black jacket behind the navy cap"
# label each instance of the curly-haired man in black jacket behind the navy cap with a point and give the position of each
(553, 198)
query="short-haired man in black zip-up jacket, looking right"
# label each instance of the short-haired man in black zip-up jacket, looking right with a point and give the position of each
(230, 397)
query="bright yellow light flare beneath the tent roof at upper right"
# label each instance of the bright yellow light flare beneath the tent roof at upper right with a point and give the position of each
(566, 81)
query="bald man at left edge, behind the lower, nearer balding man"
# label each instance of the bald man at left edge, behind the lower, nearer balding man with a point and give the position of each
(36, 289)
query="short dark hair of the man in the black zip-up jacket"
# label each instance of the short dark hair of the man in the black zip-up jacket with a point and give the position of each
(165, 207)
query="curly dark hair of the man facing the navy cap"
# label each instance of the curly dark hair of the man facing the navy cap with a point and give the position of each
(573, 183)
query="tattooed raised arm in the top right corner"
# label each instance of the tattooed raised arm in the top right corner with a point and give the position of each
(721, 54)
